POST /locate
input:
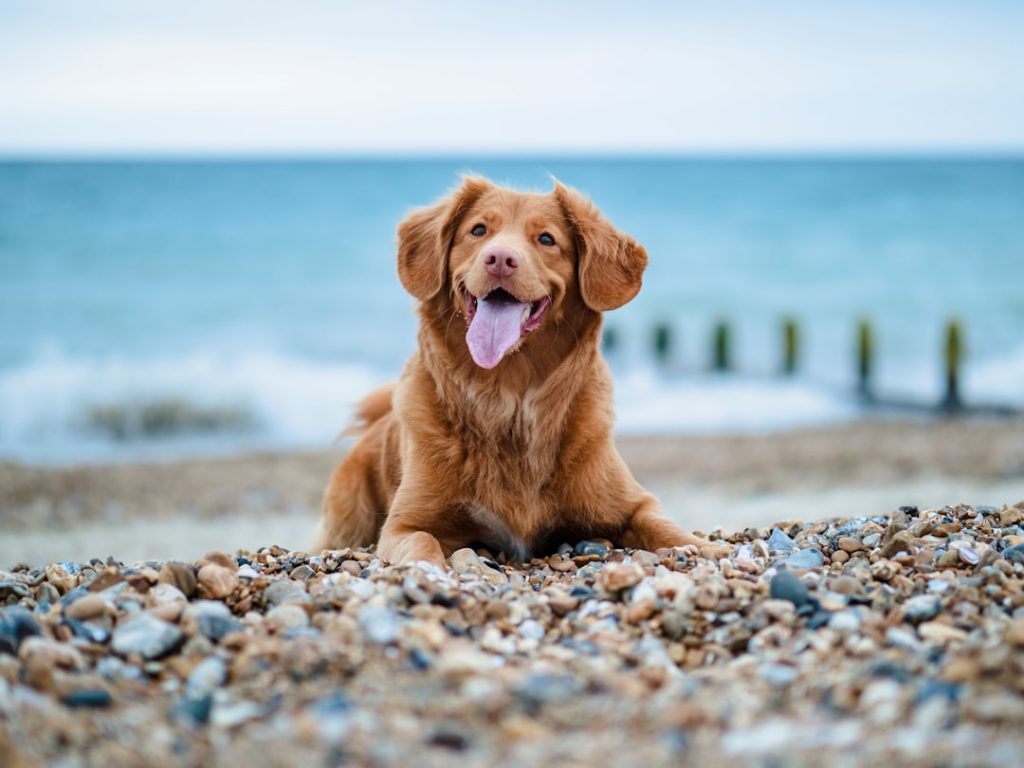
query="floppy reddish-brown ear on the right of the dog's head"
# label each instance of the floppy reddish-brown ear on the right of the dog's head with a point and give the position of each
(612, 264)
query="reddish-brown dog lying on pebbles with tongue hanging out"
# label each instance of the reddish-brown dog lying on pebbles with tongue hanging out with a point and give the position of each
(499, 431)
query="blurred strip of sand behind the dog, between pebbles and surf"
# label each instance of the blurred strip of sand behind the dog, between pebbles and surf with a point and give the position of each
(183, 509)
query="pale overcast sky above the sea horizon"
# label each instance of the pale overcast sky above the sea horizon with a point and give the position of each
(378, 76)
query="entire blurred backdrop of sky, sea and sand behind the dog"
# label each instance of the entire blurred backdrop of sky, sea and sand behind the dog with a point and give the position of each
(198, 205)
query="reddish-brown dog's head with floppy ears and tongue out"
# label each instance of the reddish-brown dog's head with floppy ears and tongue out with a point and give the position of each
(515, 264)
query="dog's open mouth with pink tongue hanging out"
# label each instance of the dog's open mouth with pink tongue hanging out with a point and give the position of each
(498, 322)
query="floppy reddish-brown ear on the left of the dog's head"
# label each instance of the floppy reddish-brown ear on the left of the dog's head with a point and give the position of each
(425, 239)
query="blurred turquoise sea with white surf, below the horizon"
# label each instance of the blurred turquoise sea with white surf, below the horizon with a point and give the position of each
(155, 310)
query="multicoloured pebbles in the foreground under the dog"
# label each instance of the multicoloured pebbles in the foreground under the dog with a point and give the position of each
(862, 642)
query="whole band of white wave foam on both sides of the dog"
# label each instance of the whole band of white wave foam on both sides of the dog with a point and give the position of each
(61, 409)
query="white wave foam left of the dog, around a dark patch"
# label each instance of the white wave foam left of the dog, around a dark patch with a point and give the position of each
(50, 406)
